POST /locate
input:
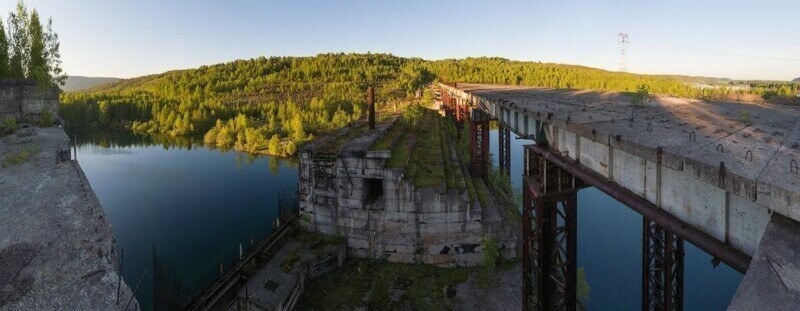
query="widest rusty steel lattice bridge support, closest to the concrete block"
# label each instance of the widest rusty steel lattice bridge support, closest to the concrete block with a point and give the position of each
(549, 236)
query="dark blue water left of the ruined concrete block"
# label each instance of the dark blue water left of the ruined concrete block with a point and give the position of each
(179, 209)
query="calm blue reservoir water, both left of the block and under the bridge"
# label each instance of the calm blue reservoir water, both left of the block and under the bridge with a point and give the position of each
(195, 205)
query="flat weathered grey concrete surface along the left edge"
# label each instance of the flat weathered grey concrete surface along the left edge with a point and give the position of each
(57, 250)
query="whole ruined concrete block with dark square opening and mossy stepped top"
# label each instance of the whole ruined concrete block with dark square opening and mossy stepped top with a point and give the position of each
(402, 192)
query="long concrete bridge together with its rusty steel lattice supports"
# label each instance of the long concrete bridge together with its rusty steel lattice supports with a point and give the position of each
(720, 175)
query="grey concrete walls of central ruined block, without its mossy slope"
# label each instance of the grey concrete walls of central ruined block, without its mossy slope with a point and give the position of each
(382, 215)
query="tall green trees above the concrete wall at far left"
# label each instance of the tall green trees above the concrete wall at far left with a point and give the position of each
(29, 50)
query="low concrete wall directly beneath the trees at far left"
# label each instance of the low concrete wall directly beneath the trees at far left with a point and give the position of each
(25, 101)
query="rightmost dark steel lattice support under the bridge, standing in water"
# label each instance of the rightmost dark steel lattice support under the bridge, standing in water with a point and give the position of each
(662, 268)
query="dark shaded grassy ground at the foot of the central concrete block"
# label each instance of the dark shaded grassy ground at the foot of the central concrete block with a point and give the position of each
(384, 286)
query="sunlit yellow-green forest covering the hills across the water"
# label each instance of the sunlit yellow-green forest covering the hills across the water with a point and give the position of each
(274, 105)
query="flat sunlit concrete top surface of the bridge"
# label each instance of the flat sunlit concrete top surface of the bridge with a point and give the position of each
(757, 142)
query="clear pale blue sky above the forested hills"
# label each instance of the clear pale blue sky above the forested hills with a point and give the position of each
(735, 39)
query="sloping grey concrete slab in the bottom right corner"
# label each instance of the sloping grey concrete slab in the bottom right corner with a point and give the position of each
(773, 280)
